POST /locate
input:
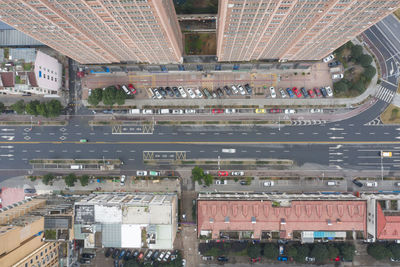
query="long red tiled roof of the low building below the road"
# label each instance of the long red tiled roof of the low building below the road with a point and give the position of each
(300, 216)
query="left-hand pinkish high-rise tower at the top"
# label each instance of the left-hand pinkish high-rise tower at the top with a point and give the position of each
(100, 31)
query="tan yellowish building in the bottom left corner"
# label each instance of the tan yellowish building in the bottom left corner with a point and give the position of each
(21, 236)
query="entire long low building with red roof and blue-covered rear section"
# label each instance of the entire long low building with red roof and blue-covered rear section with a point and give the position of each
(294, 217)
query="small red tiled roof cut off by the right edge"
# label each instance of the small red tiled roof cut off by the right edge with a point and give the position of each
(388, 227)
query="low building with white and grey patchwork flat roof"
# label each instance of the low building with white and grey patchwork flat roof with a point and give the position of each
(131, 220)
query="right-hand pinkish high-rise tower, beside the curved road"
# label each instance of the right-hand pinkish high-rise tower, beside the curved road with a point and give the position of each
(292, 29)
